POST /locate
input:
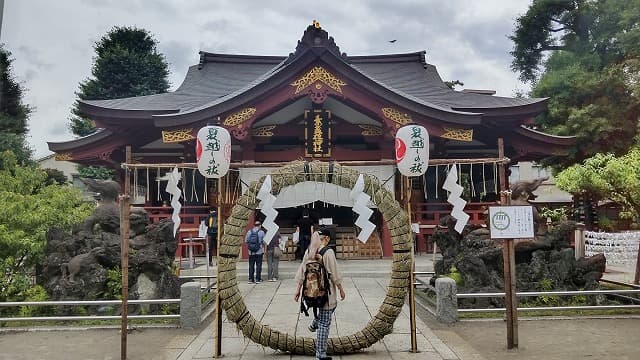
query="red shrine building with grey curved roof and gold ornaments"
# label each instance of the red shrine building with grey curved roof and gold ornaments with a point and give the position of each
(317, 103)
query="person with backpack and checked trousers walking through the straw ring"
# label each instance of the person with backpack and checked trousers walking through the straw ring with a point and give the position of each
(318, 278)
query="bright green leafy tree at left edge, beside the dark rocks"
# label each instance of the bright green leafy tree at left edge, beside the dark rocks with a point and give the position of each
(30, 207)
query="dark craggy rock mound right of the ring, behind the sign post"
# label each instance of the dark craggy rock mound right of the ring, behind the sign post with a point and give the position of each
(547, 261)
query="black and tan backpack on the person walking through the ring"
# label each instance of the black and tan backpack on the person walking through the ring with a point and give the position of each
(315, 285)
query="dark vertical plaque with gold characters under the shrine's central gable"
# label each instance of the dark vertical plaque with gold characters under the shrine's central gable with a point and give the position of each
(317, 133)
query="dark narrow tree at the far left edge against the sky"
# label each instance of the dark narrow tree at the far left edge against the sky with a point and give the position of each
(13, 112)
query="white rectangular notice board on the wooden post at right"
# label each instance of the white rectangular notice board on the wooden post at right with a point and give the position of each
(510, 222)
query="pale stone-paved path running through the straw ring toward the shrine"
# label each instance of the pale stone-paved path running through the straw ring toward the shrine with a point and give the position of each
(272, 303)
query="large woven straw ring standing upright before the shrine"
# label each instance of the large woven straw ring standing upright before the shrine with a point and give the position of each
(380, 325)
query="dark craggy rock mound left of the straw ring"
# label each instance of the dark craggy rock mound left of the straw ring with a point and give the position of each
(77, 265)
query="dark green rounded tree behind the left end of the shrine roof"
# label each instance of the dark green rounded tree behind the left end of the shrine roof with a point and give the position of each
(127, 63)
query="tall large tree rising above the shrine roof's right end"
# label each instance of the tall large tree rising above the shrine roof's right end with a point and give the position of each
(589, 51)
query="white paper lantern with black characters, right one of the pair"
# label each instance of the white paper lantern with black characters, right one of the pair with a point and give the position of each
(412, 150)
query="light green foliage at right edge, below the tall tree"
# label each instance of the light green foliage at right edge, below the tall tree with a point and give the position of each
(607, 177)
